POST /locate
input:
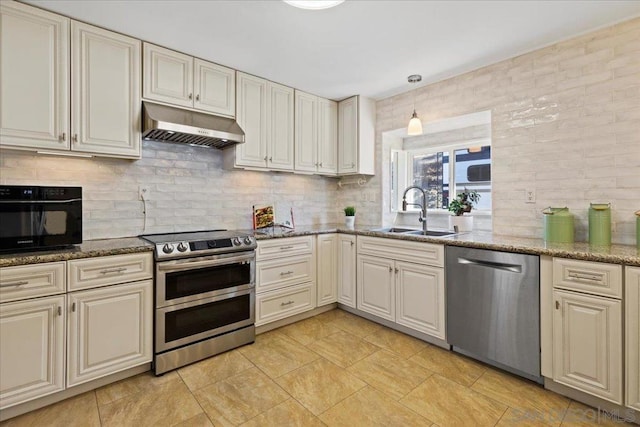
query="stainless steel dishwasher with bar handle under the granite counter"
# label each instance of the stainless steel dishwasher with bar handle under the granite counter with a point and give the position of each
(493, 308)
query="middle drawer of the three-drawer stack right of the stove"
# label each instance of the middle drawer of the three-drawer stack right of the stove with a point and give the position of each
(285, 272)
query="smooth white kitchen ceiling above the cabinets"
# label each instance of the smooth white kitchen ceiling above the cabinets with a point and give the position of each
(359, 47)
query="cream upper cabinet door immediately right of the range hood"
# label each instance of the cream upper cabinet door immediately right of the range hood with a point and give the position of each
(251, 115)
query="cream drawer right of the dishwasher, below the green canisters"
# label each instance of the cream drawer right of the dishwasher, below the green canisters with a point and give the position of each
(590, 277)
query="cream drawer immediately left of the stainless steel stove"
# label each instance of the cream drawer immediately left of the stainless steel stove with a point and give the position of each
(93, 272)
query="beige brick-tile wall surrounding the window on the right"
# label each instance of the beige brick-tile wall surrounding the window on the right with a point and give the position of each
(565, 123)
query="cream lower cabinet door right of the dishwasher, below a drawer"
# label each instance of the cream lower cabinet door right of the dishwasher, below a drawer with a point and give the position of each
(587, 344)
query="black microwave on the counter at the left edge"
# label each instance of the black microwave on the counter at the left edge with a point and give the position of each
(34, 217)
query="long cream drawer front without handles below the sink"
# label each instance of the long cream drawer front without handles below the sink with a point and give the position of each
(416, 252)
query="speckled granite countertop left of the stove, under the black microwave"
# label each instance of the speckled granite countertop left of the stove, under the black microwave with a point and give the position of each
(89, 248)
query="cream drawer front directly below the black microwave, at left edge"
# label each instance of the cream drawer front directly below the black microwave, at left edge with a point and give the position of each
(34, 280)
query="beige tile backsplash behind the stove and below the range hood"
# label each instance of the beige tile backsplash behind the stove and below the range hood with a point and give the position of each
(189, 190)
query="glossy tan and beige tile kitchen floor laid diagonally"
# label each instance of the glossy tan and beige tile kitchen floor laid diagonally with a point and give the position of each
(334, 369)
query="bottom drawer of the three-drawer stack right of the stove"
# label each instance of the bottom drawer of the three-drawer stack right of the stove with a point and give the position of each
(276, 305)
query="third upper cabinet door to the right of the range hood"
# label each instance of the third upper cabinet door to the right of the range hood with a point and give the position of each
(306, 132)
